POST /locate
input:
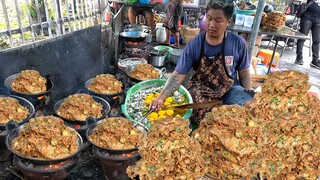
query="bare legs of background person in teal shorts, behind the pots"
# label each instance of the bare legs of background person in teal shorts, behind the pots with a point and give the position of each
(133, 12)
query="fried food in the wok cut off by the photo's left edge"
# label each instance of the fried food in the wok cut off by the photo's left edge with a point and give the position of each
(11, 109)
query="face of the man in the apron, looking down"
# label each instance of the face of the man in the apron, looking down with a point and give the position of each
(216, 22)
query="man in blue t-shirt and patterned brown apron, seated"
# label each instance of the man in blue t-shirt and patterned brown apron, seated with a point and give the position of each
(220, 60)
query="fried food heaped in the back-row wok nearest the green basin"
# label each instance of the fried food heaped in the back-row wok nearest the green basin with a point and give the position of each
(105, 84)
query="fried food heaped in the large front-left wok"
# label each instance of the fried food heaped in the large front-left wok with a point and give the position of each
(46, 137)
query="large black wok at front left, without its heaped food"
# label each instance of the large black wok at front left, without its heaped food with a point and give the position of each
(14, 131)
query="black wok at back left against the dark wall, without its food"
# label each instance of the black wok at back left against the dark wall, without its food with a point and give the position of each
(35, 99)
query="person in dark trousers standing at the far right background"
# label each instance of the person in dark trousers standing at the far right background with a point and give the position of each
(310, 20)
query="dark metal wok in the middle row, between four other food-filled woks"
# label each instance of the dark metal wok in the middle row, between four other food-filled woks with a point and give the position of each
(105, 110)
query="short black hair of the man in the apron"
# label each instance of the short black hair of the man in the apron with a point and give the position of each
(226, 5)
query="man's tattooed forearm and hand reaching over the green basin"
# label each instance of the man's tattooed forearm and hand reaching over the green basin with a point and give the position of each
(169, 88)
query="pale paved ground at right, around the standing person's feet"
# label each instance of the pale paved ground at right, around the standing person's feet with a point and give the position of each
(287, 62)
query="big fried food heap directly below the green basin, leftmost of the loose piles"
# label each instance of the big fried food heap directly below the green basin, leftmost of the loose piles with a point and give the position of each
(168, 152)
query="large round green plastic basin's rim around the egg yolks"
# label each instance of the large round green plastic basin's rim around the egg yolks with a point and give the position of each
(151, 83)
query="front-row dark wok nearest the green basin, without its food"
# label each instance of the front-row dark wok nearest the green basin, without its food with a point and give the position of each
(91, 123)
